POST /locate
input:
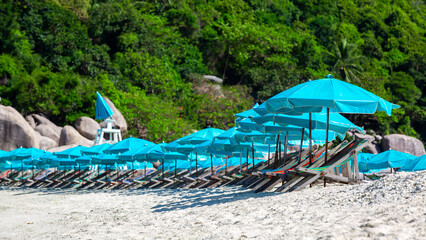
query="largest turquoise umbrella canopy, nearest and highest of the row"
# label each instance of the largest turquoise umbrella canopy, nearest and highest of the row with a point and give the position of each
(338, 96)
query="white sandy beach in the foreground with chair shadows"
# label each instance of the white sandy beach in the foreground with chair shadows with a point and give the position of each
(391, 208)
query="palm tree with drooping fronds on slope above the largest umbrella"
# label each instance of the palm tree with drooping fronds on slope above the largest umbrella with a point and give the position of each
(347, 59)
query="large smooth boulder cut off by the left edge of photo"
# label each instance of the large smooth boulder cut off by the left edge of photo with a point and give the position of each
(15, 131)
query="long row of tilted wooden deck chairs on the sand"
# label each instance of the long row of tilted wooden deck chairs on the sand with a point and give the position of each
(287, 173)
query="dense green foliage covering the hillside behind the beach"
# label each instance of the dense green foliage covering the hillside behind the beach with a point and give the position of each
(148, 57)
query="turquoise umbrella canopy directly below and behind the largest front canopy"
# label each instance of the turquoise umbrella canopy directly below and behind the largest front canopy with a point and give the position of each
(337, 123)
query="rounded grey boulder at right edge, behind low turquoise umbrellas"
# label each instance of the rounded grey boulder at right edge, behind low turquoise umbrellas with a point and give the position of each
(403, 143)
